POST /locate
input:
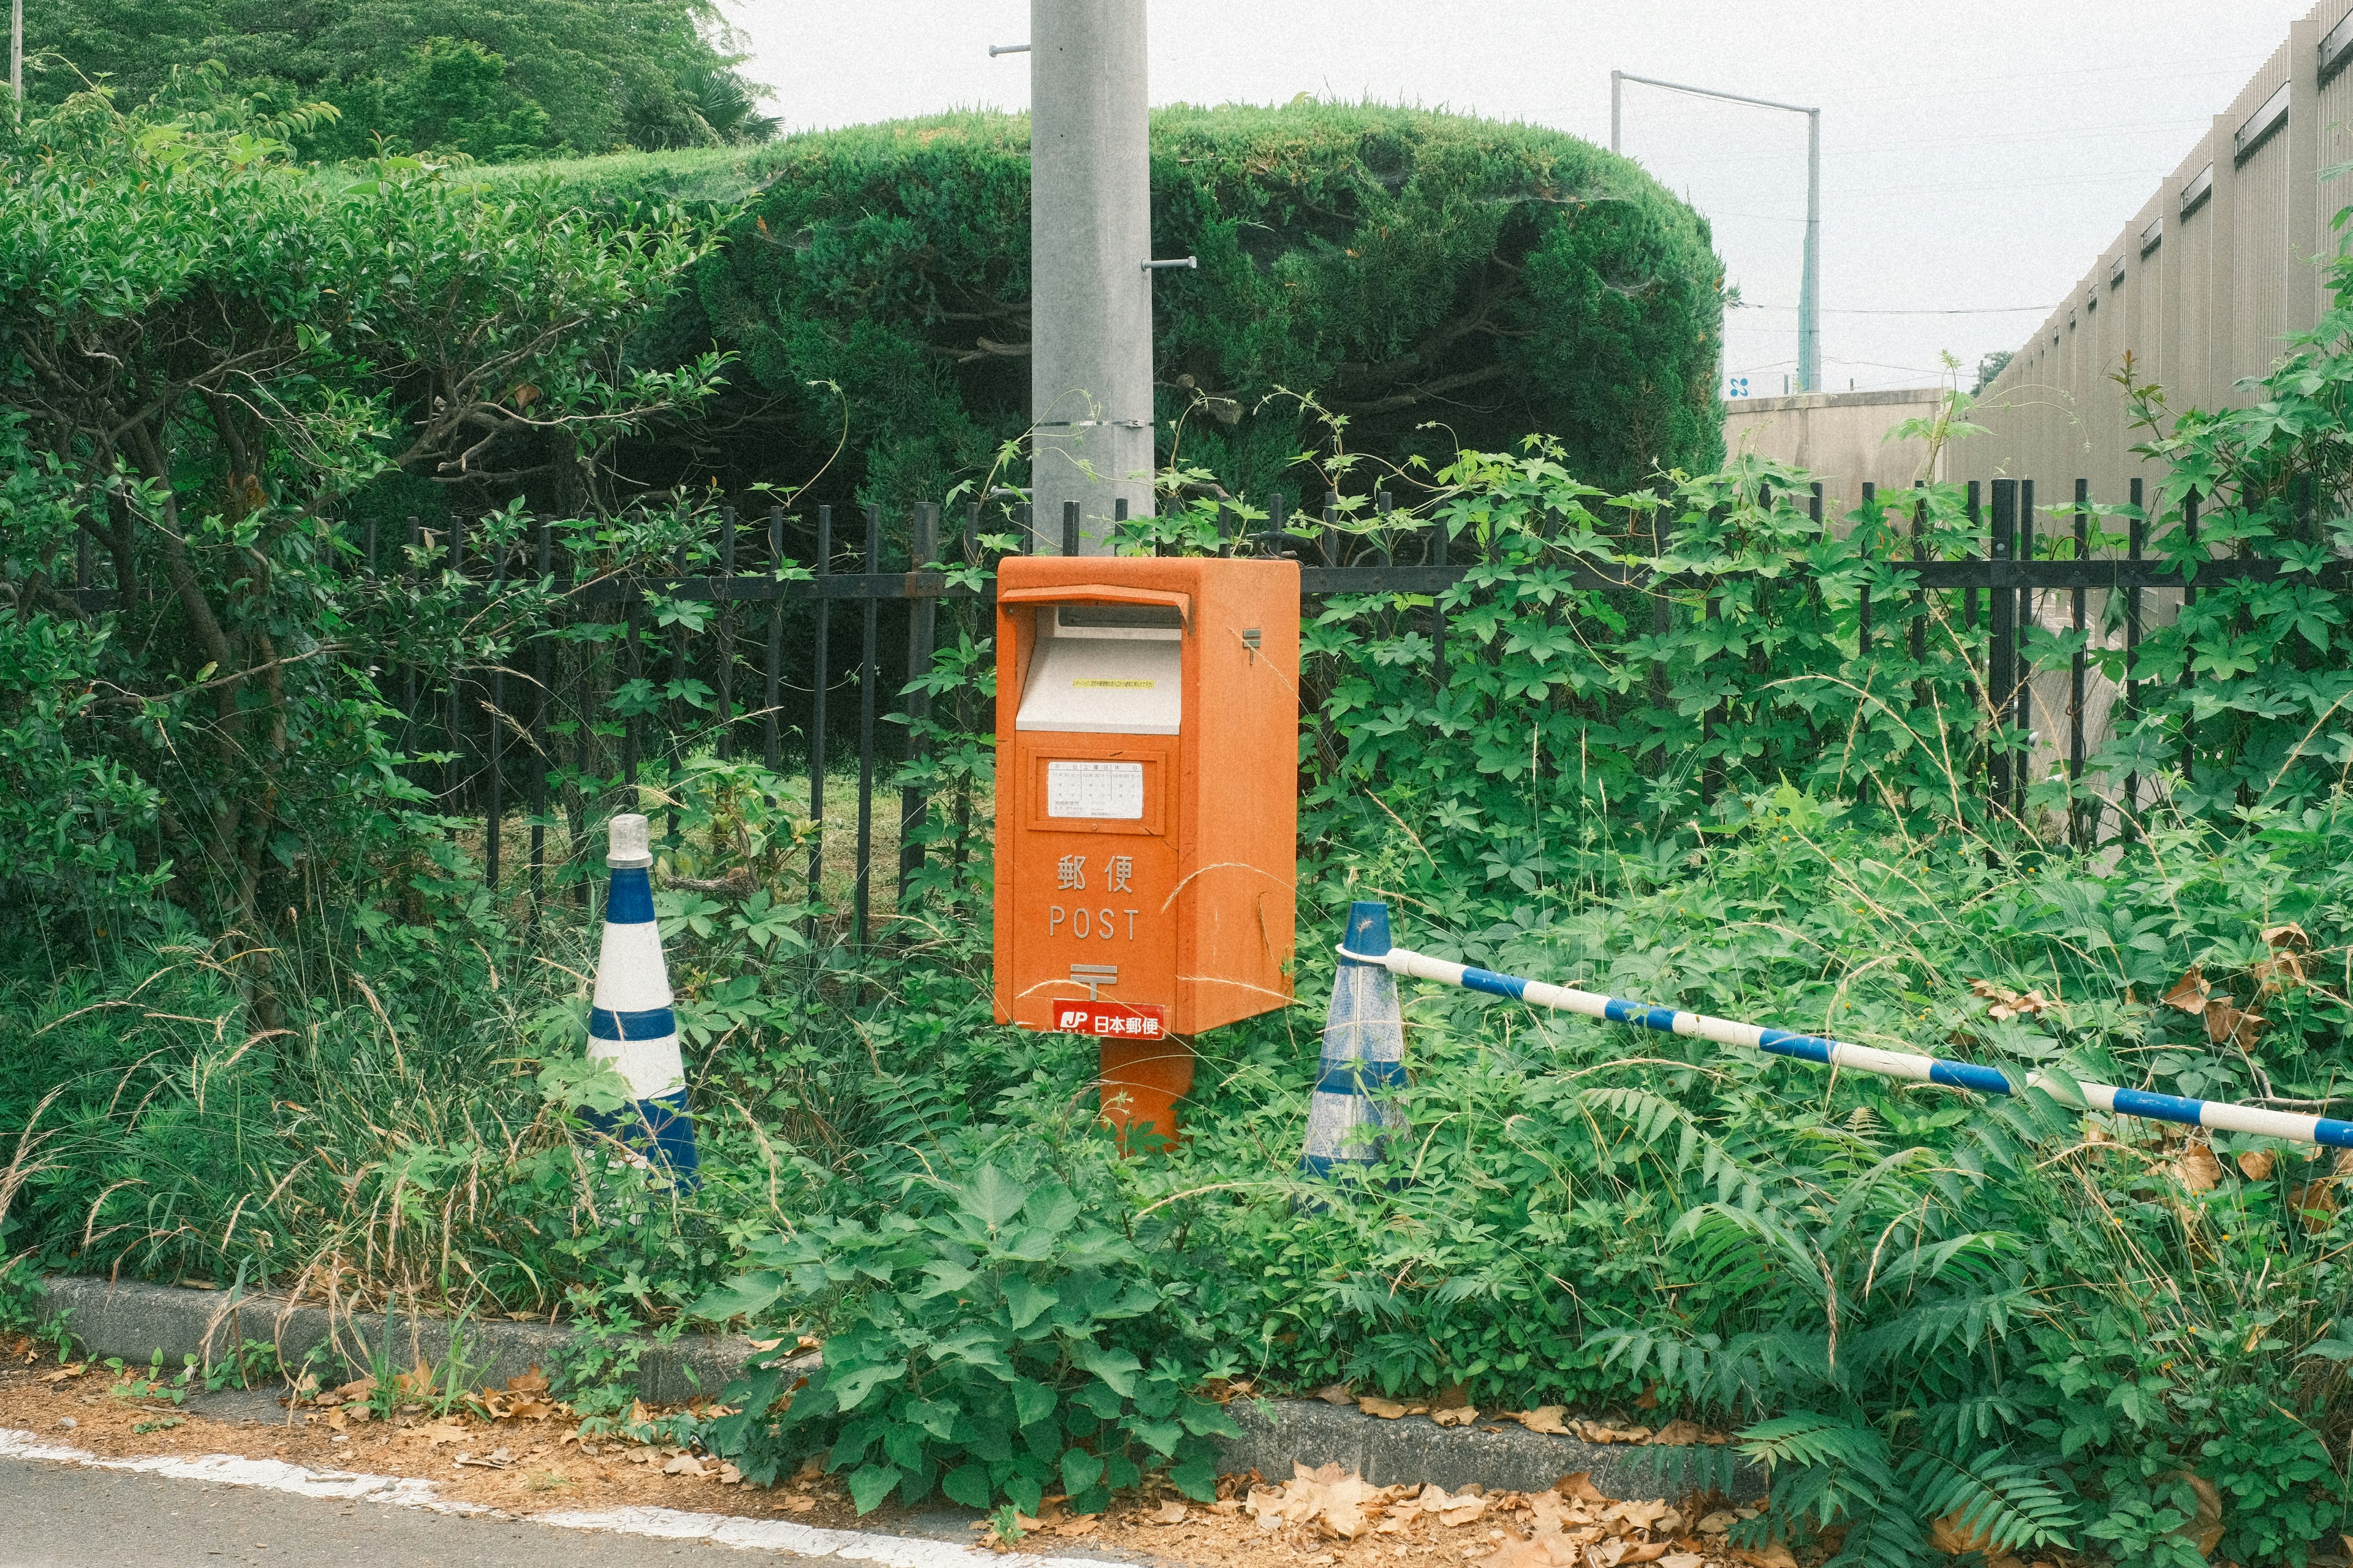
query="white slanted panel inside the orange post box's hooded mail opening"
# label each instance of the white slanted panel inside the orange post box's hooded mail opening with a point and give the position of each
(1105, 670)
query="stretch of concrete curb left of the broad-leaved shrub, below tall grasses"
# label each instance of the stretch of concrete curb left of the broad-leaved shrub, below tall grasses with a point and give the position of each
(135, 1320)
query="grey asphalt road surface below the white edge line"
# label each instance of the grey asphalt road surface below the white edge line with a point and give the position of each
(72, 1517)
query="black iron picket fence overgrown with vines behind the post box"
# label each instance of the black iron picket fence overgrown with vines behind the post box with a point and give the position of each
(533, 731)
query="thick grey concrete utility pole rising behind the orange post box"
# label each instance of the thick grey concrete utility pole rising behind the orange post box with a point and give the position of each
(1091, 288)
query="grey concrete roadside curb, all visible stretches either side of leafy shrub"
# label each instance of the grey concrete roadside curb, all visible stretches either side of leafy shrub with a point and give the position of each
(135, 1320)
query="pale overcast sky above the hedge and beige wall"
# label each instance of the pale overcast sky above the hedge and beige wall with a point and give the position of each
(1975, 159)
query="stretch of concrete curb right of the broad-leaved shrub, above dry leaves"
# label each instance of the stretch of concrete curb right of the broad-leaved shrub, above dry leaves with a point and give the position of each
(1413, 1449)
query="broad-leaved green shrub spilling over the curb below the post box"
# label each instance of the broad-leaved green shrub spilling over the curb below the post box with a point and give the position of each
(994, 1338)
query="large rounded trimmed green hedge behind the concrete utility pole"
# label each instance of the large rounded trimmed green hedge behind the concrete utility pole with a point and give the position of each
(1411, 270)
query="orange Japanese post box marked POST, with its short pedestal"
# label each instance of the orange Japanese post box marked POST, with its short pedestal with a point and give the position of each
(1147, 806)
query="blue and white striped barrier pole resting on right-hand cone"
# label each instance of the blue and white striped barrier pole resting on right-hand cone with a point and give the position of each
(2215, 1115)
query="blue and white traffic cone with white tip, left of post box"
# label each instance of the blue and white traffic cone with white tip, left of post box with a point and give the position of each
(632, 1025)
